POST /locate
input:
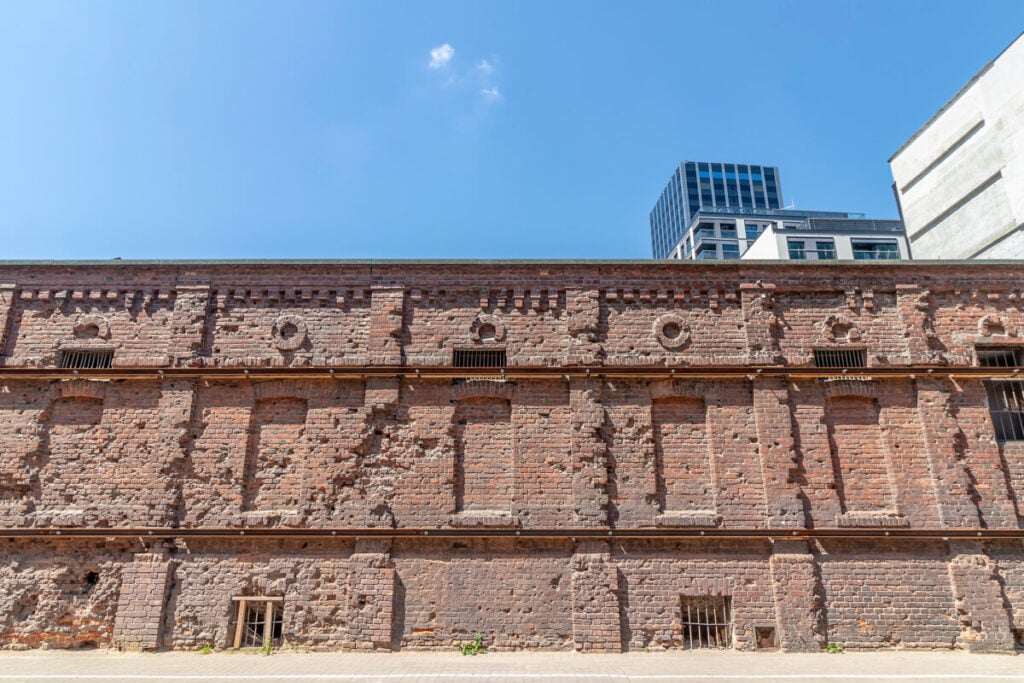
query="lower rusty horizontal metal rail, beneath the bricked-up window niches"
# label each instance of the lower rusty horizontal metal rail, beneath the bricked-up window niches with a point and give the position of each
(575, 533)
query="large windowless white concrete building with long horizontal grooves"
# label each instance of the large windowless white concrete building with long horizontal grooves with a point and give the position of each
(960, 180)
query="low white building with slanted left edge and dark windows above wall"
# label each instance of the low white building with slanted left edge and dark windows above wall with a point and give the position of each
(831, 239)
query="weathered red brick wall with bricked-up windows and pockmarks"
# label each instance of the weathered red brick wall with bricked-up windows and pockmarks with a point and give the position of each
(650, 465)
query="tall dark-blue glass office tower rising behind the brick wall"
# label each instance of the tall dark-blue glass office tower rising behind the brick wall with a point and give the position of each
(698, 186)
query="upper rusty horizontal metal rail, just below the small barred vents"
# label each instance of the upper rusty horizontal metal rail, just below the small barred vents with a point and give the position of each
(513, 373)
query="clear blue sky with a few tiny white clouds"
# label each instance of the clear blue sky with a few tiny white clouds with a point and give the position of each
(509, 130)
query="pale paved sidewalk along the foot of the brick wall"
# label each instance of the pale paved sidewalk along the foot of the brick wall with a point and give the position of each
(509, 667)
